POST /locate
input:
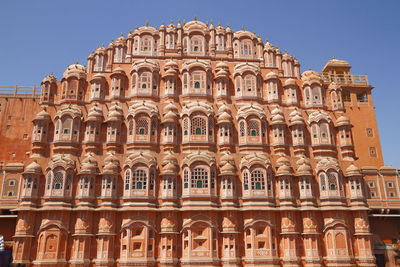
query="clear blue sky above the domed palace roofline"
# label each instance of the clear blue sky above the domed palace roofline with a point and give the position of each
(39, 37)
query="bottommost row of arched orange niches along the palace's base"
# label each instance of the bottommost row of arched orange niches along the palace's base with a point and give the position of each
(200, 238)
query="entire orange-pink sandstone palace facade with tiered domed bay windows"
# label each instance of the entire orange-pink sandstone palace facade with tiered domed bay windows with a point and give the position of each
(194, 145)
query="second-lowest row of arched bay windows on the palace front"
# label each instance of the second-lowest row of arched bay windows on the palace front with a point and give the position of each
(197, 180)
